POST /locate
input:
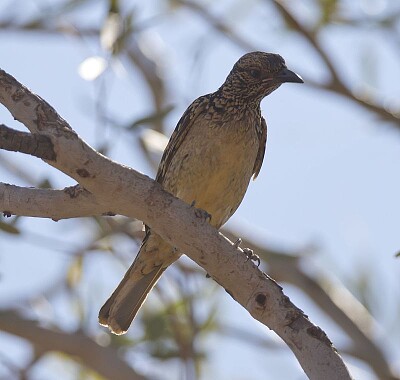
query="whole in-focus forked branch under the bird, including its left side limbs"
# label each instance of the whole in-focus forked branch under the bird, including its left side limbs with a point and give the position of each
(106, 187)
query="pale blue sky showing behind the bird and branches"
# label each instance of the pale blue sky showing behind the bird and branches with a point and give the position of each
(330, 176)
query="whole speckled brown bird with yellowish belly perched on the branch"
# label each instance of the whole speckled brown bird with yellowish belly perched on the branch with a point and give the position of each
(216, 148)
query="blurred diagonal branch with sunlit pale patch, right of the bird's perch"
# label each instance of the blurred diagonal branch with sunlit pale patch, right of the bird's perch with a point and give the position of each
(357, 324)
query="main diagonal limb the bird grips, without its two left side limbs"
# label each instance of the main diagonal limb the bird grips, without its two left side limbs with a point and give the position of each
(130, 193)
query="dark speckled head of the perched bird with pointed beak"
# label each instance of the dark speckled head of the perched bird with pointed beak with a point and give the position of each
(255, 75)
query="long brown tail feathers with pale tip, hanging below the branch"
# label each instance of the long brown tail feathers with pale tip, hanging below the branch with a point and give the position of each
(120, 309)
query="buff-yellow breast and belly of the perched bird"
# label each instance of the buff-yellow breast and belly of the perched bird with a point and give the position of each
(213, 166)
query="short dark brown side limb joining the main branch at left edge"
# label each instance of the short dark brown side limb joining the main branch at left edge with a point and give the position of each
(33, 144)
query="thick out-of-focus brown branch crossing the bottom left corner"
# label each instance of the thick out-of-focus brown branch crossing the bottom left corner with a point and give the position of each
(103, 360)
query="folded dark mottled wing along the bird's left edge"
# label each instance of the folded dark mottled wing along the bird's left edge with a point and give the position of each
(180, 132)
